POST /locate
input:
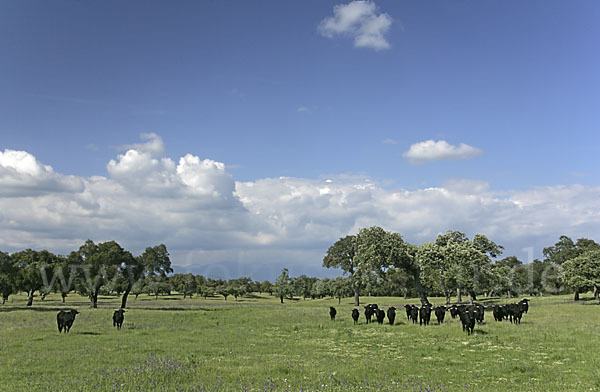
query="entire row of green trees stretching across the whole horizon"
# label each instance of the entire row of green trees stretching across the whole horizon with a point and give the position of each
(374, 262)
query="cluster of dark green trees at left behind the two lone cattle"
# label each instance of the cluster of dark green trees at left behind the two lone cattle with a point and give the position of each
(92, 270)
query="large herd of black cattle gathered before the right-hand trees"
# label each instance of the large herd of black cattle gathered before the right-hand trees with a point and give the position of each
(468, 315)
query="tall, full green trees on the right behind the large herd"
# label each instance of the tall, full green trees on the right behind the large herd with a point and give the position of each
(378, 262)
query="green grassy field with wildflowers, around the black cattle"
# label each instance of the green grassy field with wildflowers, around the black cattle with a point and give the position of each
(257, 344)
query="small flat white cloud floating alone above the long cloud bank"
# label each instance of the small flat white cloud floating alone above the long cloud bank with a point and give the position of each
(431, 150)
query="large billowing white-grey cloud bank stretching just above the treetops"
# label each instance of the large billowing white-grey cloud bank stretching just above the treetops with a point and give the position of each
(213, 224)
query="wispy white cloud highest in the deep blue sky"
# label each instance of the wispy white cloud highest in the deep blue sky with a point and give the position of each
(359, 20)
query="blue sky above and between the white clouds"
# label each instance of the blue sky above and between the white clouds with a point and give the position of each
(268, 91)
